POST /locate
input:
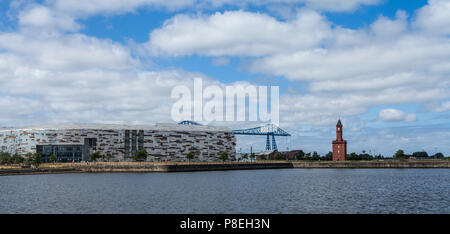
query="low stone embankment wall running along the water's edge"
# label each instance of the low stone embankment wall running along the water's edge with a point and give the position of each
(136, 167)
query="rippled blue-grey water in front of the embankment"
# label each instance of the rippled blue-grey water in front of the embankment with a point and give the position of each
(250, 191)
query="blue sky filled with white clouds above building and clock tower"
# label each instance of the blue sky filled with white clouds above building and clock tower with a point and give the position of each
(382, 66)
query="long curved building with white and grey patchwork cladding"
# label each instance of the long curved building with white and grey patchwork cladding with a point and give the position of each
(75, 142)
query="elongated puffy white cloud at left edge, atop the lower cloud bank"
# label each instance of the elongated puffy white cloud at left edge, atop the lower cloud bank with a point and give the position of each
(67, 51)
